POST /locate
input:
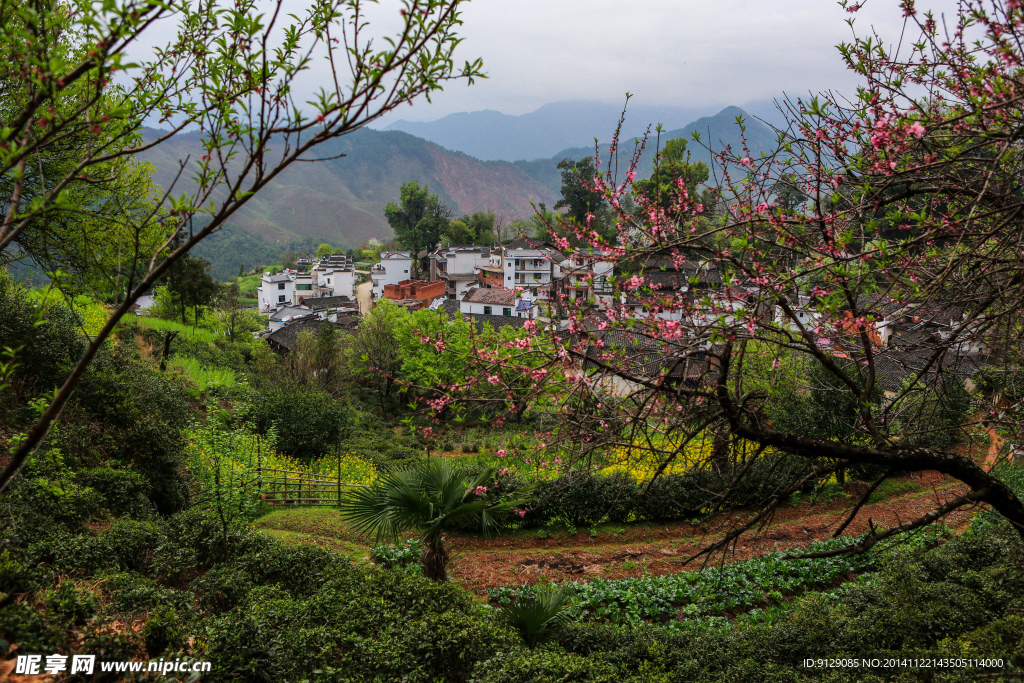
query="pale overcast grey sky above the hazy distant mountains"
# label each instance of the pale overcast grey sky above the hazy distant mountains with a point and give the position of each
(689, 54)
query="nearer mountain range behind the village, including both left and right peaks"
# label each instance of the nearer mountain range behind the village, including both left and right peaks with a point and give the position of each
(342, 200)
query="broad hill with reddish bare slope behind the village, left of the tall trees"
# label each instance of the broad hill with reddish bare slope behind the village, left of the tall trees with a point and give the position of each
(342, 200)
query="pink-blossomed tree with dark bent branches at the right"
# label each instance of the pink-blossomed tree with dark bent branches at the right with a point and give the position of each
(905, 263)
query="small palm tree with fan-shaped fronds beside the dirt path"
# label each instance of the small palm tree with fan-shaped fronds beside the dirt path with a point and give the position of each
(434, 498)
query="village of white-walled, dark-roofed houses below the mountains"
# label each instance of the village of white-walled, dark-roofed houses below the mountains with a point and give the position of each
(531, 280)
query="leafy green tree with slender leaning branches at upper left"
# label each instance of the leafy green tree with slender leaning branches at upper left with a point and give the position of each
(230, 73)
